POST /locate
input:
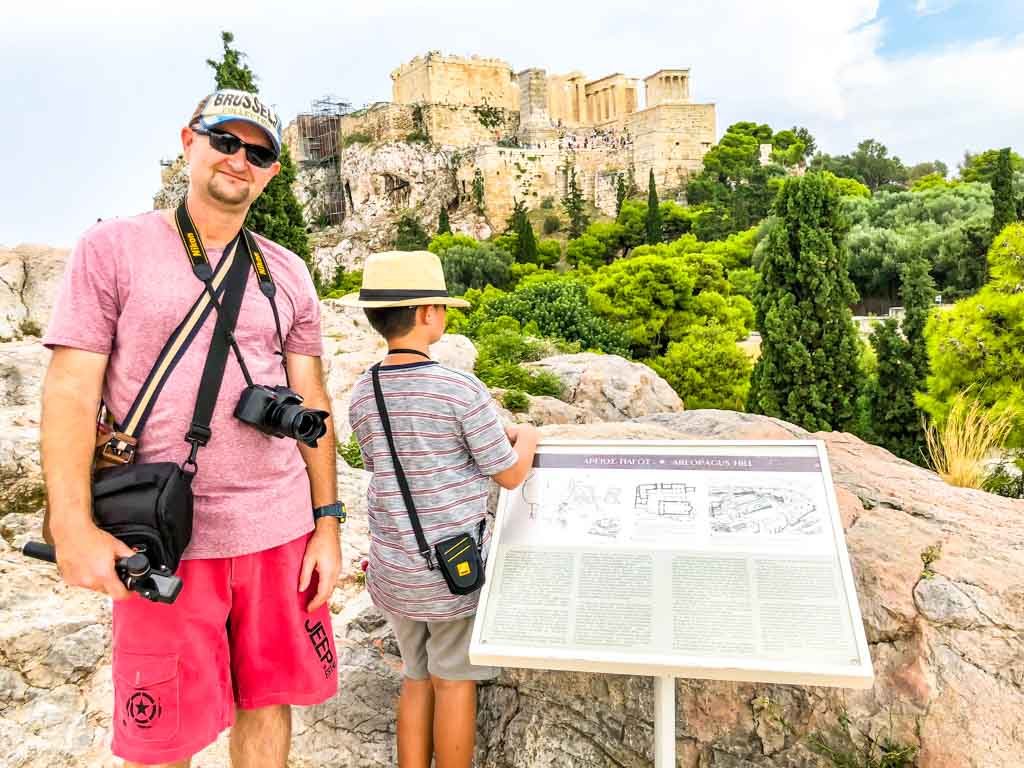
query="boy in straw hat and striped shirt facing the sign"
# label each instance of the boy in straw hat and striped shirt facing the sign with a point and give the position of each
(451, 444)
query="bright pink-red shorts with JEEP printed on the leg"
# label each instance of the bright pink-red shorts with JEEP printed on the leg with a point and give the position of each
(239, 635)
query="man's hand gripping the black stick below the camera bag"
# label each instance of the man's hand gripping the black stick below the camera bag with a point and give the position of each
(87, 557)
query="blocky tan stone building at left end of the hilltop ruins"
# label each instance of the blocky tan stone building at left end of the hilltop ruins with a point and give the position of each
(454, 80)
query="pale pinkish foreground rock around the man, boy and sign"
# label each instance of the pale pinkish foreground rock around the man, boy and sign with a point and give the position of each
(949, 652)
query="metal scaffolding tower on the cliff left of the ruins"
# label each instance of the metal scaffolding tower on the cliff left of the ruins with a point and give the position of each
(320, 131)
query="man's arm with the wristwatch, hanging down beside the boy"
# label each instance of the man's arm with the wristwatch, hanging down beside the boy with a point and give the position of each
(306, 374)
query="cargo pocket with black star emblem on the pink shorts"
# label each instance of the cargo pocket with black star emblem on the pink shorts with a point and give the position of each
(146, 697)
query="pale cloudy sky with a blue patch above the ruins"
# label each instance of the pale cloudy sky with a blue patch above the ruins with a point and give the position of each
(94, 95)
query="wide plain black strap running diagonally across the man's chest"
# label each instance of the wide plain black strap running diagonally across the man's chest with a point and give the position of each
(217, 360)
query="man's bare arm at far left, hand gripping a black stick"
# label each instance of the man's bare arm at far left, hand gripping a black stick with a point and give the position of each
(71, 399)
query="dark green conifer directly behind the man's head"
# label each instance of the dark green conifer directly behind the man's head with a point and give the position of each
(277, 214)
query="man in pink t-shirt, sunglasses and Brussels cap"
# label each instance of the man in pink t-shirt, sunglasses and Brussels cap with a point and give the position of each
(250, 634)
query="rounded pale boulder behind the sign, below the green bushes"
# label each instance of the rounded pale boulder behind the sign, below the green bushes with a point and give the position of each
(610, 389)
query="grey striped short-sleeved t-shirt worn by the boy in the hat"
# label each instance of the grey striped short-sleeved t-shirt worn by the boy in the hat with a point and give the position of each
(450, 440)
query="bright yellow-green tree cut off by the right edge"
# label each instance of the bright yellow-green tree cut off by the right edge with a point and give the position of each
(977, 345)
